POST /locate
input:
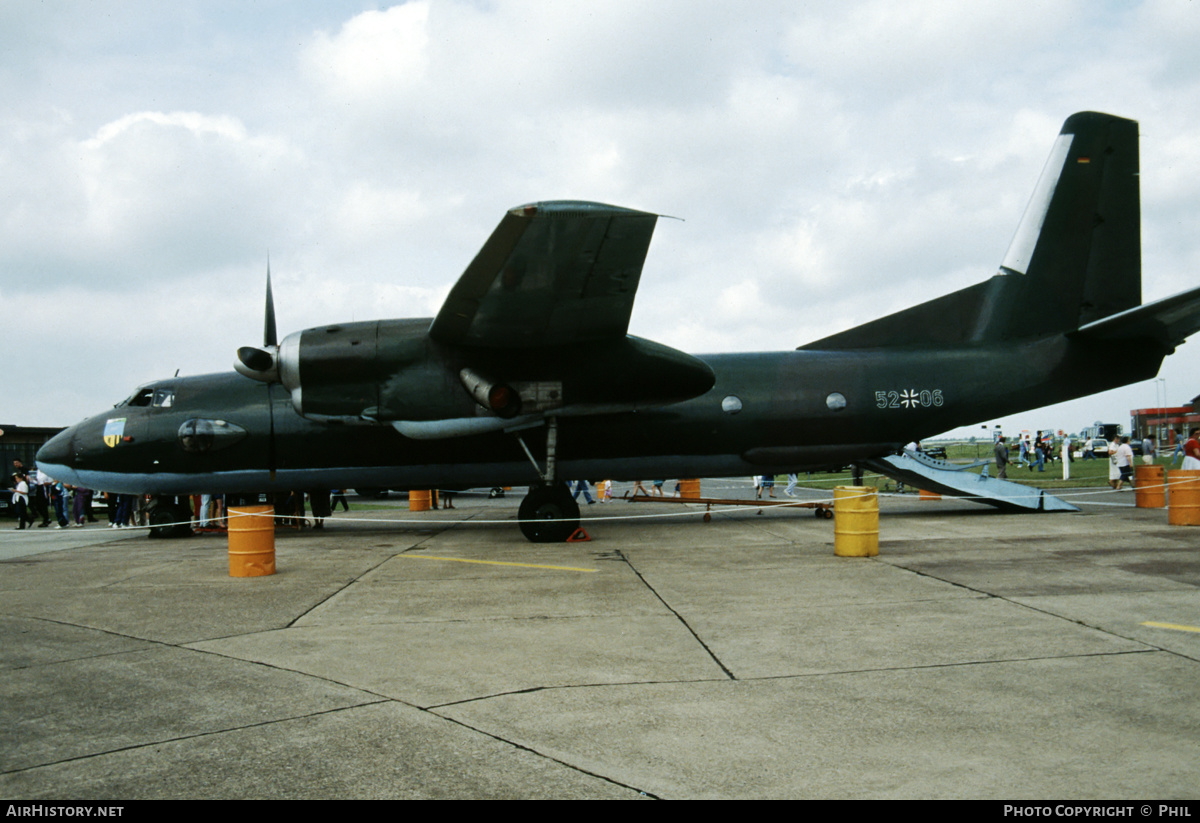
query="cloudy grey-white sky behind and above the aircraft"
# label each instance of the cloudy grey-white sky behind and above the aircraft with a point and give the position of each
(831, 161)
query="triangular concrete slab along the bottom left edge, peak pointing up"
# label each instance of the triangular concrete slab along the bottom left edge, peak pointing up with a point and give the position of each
(382, 752)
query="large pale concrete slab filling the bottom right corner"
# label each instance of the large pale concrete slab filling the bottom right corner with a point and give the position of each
(1048, 729)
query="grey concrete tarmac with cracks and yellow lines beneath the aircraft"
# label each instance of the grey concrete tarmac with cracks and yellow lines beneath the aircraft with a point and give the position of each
(441, 656)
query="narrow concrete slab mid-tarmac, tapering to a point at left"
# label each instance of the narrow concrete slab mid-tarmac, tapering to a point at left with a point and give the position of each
(431, 664)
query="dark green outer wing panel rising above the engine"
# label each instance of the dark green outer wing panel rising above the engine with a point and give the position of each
(553, 274)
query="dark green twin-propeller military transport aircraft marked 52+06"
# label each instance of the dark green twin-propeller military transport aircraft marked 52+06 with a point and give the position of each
(496, 389)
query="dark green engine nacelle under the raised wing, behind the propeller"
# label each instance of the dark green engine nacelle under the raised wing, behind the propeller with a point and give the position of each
(391, 371)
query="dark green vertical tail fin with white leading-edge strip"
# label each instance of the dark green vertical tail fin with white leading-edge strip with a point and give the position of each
(1076, 257)
